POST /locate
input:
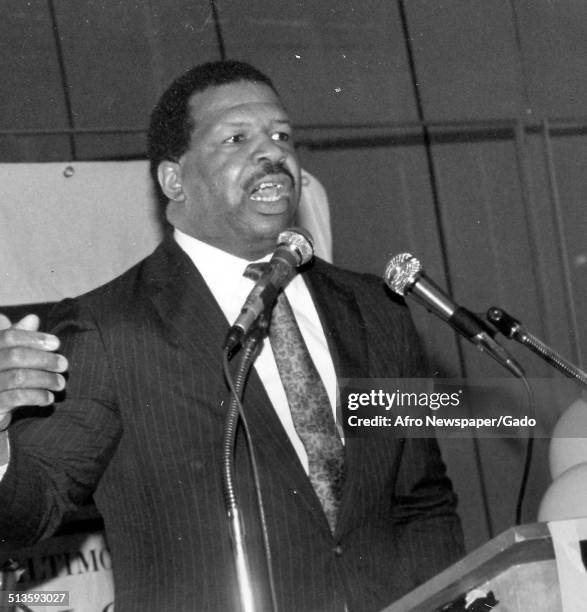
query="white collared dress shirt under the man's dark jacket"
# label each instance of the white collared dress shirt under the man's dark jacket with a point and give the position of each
(223, 273)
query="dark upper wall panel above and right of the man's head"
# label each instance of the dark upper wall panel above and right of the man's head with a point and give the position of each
(336, 63)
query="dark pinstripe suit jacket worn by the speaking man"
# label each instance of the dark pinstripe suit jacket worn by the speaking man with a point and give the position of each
(141, 427)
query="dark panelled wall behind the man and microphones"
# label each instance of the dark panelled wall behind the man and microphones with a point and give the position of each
(454, 129)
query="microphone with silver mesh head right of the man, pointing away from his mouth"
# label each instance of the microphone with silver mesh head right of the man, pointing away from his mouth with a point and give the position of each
(404, 275)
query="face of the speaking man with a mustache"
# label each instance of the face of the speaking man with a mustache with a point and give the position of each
(240, 178)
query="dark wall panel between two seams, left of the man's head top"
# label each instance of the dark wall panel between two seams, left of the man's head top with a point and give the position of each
(118, 61)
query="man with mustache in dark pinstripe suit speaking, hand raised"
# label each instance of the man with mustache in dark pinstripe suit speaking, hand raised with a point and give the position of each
(140, 423)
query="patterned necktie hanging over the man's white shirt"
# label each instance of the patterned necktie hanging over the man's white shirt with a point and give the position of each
(309, 405)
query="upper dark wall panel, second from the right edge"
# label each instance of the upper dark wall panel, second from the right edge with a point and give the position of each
(466, 58)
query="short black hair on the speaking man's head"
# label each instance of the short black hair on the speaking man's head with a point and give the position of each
(171, 125)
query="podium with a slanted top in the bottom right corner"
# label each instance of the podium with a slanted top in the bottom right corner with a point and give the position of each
(523, 568)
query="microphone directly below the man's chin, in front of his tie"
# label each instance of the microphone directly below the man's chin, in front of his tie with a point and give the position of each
(294, 248)
